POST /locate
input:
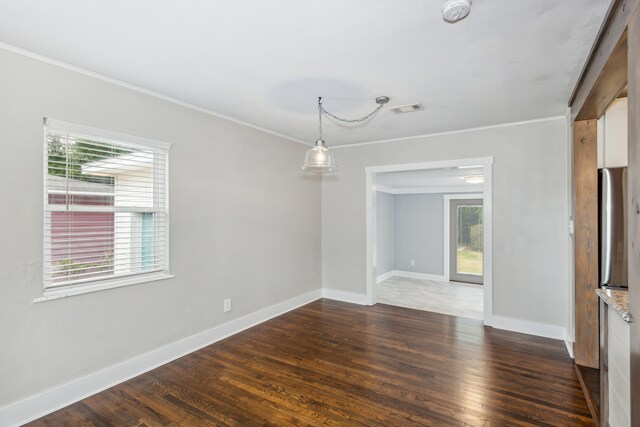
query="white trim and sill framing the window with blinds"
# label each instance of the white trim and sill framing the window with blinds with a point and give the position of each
(52, 293)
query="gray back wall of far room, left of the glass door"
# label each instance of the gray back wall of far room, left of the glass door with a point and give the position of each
(418, 233)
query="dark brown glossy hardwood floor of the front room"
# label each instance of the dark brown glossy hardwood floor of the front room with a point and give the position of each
(341, 364)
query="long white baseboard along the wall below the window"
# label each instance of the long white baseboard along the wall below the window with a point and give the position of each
(36, 406)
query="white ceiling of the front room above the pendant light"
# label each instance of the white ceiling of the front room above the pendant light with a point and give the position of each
(265, 62)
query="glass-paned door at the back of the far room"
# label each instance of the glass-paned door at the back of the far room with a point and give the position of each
(466, 241)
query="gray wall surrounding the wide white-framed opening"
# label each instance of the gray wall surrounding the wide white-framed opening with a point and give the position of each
(530, 239)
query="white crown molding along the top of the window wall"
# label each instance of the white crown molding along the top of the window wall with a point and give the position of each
(84, 71)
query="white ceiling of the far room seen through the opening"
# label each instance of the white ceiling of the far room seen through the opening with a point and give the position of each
(445, 180)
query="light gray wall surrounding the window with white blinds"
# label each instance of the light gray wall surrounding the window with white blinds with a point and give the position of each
(244, 224)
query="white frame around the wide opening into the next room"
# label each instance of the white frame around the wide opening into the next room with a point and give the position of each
(371, 237)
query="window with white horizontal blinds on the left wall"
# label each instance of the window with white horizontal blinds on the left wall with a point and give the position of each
(106, 209)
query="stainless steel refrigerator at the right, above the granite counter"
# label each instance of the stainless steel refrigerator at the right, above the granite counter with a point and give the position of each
(613, 227)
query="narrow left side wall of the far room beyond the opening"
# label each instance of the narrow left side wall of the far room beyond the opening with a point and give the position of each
(385, 232)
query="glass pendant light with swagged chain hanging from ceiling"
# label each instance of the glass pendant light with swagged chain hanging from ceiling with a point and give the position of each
(319, 158)
